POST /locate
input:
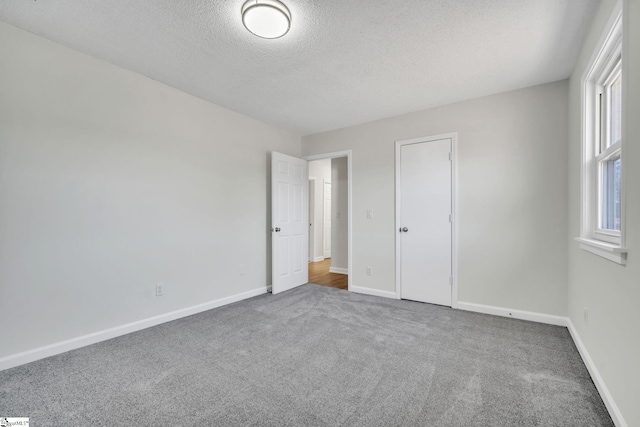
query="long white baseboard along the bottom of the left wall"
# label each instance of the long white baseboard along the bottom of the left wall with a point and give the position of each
(95, 337)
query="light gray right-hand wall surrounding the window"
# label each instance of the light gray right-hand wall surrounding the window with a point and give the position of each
(609, 291)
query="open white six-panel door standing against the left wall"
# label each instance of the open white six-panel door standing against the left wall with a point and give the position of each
(290, 219)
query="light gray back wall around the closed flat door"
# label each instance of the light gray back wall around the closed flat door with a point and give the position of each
(512, 192)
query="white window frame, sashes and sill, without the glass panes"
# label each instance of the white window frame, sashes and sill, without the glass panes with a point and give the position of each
(596, 149)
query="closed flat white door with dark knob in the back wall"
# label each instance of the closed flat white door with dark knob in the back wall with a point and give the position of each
(425, 222)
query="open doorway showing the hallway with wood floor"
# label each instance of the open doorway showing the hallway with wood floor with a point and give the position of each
(330, 219)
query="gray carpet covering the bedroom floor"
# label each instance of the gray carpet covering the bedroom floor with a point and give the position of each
(315, 356)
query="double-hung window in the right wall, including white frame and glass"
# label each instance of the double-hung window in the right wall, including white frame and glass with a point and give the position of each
(603, 139)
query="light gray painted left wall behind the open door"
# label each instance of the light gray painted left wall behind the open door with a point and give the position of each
(111, 182)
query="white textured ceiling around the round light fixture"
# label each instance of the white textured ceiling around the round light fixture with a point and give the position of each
(342, 63)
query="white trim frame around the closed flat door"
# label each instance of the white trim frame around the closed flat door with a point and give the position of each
(454, 210)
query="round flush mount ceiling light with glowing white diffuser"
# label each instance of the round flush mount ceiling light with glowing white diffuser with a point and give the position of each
(268, 19)
